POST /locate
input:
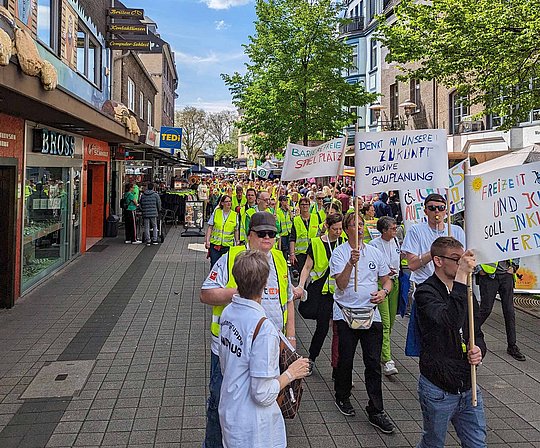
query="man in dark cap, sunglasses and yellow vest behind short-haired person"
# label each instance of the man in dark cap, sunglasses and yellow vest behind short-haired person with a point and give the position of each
(277, 302)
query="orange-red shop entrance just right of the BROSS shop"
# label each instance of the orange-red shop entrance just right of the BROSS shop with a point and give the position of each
(95, 200)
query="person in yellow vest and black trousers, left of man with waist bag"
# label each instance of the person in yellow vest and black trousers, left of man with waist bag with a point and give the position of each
(321, 289)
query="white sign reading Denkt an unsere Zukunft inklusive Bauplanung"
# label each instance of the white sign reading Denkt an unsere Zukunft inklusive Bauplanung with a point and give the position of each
(401, 160)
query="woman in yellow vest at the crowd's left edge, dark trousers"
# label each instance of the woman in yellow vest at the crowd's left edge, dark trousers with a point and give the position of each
(222, 232)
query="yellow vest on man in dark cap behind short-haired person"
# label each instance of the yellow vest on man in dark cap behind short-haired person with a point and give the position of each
(282, 273)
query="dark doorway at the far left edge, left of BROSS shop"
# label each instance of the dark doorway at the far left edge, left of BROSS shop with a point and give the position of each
(8, 183)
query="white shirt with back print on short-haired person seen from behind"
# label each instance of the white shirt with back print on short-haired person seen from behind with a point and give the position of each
(249, 415)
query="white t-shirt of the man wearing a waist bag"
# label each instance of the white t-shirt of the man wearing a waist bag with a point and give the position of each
(371, 266)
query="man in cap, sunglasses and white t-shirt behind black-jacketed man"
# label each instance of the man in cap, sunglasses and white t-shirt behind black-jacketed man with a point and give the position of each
(418, 240)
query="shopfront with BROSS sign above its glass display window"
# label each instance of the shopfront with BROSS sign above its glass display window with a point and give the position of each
(51, 225)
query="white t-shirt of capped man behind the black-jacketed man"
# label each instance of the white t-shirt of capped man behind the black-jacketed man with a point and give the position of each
(418, 240)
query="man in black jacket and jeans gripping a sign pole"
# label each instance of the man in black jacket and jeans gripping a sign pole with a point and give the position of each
(444, 386)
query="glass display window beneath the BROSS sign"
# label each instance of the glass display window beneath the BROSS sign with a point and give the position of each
(45, 234)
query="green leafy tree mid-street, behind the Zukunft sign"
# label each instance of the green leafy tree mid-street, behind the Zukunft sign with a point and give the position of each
(293, 88)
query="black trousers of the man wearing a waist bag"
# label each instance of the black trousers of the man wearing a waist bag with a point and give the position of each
(371, 342)
